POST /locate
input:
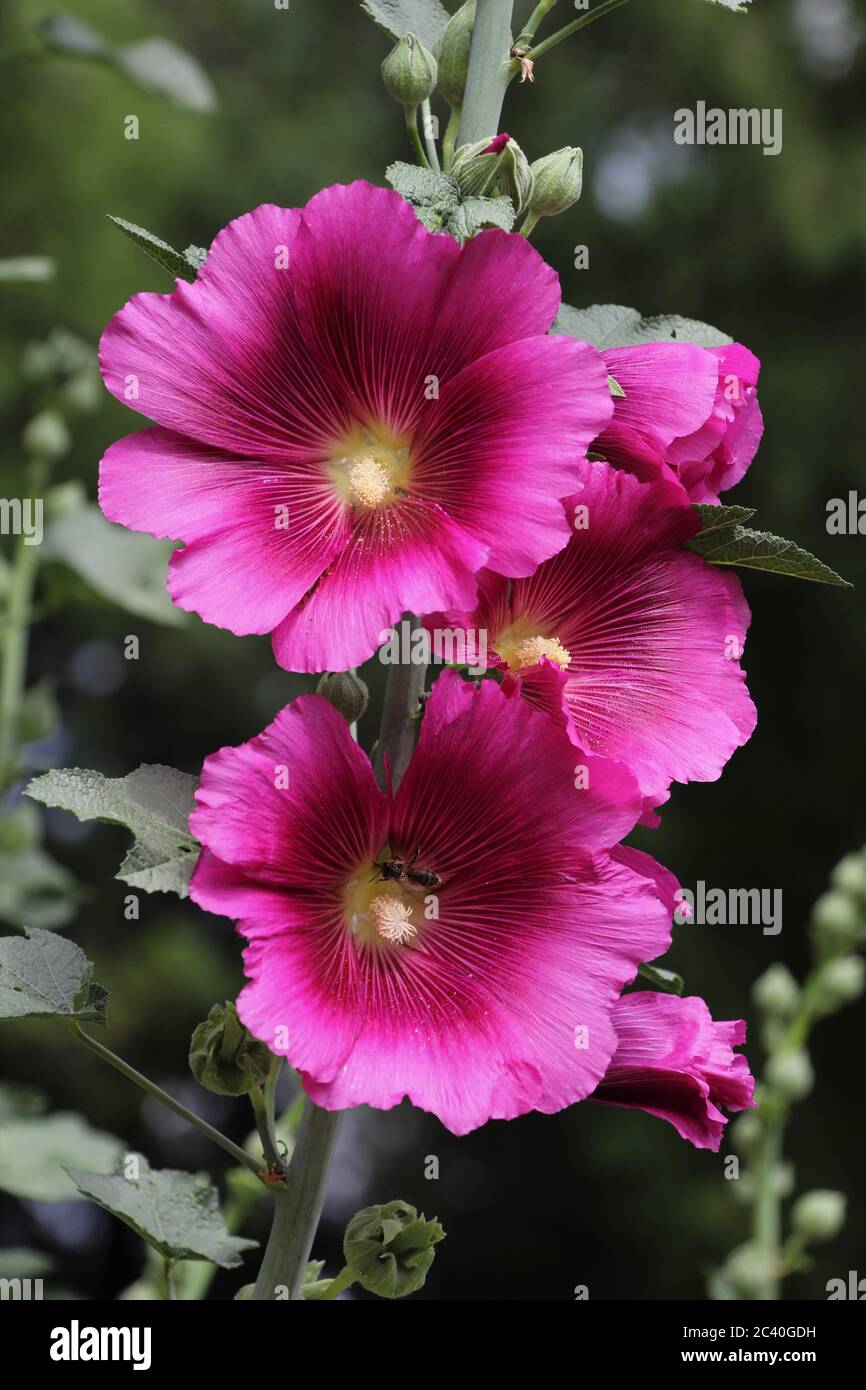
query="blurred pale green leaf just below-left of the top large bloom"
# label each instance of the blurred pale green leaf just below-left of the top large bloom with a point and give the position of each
(119, 566)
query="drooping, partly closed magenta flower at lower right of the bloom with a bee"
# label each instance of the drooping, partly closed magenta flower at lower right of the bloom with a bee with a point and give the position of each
(676, 1063)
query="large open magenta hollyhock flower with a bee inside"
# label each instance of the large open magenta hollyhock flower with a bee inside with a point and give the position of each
(480, 995)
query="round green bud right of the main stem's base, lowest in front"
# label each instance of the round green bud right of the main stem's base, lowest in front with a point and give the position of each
(390, 1249)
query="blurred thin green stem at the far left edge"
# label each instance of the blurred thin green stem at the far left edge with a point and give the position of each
(15, 637)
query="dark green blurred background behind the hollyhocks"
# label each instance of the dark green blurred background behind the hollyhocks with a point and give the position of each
(772, 251)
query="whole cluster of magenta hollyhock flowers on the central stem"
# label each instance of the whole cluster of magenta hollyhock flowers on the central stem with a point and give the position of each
(355, 419)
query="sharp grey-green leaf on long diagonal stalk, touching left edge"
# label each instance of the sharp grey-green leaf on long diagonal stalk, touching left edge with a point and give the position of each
(45, 976)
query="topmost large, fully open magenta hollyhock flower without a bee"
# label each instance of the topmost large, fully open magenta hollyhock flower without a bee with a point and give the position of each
(354, 416)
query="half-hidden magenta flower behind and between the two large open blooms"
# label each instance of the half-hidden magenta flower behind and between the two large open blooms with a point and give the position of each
(625, 637)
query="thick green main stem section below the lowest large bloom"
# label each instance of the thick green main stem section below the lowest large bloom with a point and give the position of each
(298, 1210)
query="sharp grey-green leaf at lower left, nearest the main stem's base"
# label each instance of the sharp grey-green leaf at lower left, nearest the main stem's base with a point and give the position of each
(176, 1213)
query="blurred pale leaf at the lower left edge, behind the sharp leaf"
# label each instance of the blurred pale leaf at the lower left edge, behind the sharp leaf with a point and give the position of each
(35, 1153)
